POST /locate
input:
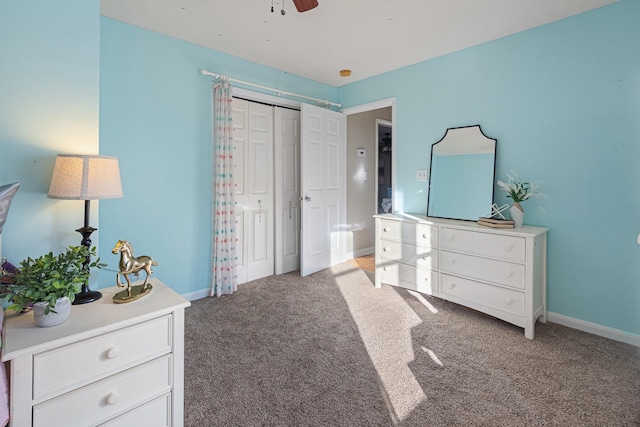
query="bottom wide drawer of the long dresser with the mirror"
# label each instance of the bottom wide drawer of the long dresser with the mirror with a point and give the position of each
(506, 300)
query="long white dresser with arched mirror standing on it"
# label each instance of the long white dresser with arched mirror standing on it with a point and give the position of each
(501, 272)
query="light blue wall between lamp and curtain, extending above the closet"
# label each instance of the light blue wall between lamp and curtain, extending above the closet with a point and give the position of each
(155, 115)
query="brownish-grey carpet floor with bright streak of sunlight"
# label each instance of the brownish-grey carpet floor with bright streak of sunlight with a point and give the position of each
(331, 350)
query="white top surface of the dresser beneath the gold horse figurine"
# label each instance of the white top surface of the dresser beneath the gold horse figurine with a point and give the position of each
(22, 336)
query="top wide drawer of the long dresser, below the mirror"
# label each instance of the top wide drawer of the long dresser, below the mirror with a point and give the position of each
(508, 248)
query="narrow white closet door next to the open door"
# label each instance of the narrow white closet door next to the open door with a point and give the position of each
(287, 189)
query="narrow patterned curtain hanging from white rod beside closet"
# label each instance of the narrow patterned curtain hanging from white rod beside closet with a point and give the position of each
(225, 278)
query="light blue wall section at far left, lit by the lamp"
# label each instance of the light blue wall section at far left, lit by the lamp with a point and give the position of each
(49, 100)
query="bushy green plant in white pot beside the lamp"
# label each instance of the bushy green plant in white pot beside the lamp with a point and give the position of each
(50, 284)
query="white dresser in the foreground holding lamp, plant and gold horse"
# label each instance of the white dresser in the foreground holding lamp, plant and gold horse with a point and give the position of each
(108, 364)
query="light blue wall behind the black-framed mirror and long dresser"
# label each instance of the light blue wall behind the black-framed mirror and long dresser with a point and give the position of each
(563, 101)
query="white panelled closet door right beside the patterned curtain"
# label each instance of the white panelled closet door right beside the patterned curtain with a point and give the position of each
(253, 156)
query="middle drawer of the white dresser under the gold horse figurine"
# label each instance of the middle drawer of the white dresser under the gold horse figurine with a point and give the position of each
(104, 399)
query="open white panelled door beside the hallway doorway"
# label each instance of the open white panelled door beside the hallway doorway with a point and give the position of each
(323, 196)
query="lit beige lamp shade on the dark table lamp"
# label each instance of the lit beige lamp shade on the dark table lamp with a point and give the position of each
(85, 177)
